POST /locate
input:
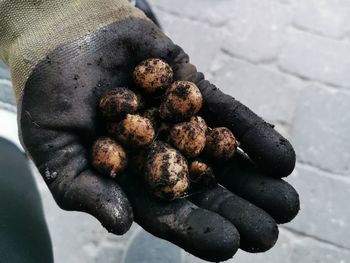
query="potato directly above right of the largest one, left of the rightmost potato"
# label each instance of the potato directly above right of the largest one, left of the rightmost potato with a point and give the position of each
(188, 138)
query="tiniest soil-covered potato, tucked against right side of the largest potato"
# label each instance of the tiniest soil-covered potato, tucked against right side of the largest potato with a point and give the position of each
(201, 173)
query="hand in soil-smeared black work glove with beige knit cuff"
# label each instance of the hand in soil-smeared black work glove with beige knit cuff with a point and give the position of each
(60, 72)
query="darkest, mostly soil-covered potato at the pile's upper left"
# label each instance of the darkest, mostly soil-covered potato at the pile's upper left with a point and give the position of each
(118, 102)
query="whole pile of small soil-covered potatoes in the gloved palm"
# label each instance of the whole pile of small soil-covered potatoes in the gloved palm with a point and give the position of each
(155, 130)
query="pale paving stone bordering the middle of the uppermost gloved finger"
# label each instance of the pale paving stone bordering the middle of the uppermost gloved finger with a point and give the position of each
(269, 93)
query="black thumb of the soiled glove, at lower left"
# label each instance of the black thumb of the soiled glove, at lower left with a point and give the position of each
(98, 196)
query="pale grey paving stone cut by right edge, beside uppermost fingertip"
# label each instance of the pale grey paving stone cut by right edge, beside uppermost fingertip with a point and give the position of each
(321, 129)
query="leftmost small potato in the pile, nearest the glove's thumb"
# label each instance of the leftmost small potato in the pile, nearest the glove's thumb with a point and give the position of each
(108, 157)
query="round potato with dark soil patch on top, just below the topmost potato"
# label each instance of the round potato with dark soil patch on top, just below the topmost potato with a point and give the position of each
(182, 101)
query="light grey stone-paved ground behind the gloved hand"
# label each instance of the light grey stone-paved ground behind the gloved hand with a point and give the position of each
(290, 62)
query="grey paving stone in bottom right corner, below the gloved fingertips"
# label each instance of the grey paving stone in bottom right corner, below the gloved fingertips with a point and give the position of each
(290, 248)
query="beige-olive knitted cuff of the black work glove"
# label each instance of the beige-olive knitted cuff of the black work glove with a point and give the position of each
(30, 30)
